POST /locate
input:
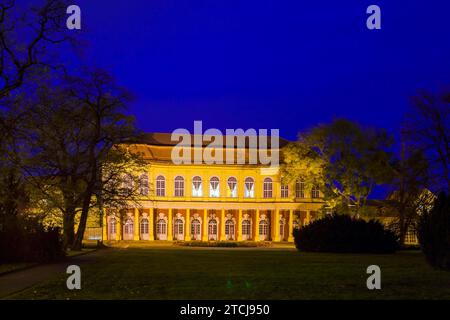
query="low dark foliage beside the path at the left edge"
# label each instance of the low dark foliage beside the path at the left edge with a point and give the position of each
(30, 242)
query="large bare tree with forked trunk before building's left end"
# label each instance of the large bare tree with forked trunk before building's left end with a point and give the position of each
(71, 134)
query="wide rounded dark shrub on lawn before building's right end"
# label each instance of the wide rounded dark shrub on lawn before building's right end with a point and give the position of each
(342, 233)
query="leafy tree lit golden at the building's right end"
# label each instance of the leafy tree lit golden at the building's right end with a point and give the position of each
(345, 159)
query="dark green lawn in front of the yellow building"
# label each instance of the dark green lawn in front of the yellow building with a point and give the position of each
(185, 273)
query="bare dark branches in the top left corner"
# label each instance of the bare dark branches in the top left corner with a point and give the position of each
(25, 40)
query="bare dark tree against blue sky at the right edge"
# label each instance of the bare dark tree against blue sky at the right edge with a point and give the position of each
(427, 129)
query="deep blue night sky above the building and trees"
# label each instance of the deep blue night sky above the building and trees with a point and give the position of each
(268, 64)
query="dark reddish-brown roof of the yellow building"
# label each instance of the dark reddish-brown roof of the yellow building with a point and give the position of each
(164, 139)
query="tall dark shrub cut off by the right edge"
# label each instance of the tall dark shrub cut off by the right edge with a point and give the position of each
(434, 233)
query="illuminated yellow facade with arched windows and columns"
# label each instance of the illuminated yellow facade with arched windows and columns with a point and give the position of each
(261, 213)
